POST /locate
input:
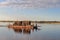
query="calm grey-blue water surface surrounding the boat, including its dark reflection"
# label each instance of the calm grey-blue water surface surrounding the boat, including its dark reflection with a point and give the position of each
(45, 32)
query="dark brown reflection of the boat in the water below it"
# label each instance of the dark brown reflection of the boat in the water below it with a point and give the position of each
(25, 30)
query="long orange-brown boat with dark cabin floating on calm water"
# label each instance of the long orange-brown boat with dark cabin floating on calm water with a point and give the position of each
(21, 25)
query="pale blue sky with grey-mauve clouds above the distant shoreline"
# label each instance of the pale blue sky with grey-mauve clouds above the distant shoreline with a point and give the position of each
(36, 10)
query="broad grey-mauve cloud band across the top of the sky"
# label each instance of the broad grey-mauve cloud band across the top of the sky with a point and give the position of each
(31, 3)
